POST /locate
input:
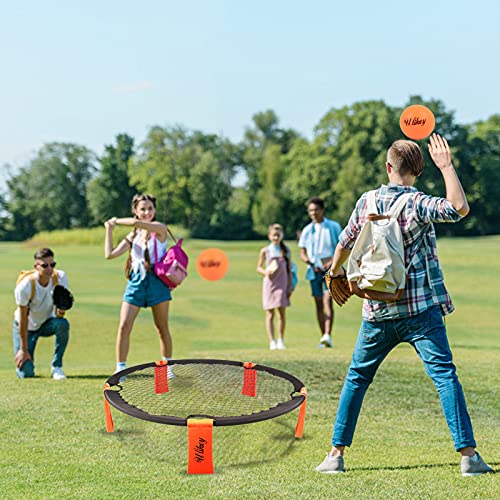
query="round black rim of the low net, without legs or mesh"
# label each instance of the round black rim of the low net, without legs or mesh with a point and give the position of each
(114, 396)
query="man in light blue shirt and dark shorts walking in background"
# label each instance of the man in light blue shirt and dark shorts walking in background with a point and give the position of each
(317, 245)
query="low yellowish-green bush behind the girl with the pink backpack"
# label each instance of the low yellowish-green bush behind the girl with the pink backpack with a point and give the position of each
(90, 236)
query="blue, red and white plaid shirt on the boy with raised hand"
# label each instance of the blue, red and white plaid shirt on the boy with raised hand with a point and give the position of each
(419, 239)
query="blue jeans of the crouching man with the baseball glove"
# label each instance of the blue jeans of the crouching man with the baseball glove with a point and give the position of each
(53, 326)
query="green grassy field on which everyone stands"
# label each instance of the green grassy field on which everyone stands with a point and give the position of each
(53, 442)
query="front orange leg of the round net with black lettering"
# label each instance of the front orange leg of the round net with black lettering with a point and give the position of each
(200, 446)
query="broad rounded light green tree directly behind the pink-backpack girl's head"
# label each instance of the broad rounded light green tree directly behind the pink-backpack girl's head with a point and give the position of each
(172, 164)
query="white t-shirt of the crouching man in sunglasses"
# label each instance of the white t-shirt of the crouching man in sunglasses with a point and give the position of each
(41, 307)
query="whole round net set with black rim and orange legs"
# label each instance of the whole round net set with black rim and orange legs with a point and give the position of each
(202, 393)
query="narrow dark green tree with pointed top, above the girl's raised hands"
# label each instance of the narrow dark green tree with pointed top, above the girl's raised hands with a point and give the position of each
(110, 192)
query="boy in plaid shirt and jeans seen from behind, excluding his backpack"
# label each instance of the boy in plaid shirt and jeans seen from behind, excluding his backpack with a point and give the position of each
(417, 318)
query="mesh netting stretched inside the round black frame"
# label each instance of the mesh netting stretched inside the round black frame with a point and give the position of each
(206, 390)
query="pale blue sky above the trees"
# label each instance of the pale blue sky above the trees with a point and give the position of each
(84, 71)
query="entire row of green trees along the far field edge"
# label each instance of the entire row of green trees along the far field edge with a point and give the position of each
(192, 174)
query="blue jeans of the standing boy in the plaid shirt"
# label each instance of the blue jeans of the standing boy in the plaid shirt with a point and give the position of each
(426, 332)
